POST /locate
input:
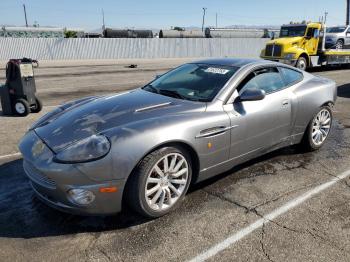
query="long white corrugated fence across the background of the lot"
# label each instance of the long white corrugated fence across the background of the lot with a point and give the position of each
(117, 48)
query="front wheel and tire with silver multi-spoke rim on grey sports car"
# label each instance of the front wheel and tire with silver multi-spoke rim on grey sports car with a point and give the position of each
(145, 179)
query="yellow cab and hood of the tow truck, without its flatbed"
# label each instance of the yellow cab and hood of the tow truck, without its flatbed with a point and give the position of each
(295, 45)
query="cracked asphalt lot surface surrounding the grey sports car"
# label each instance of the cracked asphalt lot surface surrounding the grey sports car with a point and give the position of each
(317, 230)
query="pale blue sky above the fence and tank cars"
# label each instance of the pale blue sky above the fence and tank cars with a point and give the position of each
(163, 14)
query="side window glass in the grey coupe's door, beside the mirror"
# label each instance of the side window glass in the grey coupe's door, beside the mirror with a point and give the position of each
(267, 79)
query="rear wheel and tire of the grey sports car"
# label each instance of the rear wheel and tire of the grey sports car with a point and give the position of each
(309, 141)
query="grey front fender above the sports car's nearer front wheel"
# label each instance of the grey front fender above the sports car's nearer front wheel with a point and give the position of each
(132, 142)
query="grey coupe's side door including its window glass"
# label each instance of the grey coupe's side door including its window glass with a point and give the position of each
(264, 123)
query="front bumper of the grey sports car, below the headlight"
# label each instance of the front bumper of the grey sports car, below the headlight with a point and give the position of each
(51, 181)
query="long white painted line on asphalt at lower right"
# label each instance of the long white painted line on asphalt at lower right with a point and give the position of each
(267, 218)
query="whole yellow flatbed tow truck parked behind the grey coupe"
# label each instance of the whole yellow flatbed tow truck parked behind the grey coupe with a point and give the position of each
(303, 46)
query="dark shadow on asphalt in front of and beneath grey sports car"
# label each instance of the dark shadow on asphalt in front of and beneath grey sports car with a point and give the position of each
(22, 215)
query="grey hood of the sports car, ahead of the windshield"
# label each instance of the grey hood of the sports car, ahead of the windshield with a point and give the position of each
(69, 124)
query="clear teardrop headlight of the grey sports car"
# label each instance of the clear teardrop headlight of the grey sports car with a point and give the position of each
(88, 149)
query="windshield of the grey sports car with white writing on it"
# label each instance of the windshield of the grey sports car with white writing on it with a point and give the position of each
(195, 82)
